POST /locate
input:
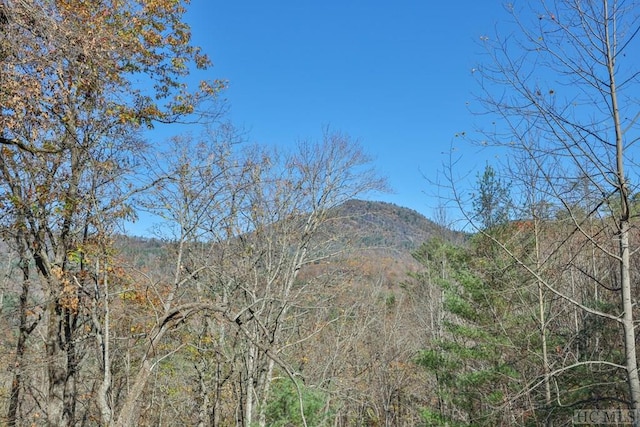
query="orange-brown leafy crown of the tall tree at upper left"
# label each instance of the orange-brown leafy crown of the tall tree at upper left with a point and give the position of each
(79, 50)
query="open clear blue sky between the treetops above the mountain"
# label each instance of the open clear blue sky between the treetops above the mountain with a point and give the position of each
(396, 75)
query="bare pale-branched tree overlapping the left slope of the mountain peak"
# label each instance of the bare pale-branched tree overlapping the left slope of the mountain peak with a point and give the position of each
(285, 208)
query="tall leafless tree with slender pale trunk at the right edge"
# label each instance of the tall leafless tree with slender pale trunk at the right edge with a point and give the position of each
(563, 88)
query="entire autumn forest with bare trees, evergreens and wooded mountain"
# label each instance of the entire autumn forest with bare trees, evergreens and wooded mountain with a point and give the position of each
(271, 292)
